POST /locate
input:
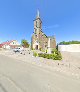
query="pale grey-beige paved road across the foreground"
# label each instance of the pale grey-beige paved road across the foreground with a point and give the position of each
(19, 76)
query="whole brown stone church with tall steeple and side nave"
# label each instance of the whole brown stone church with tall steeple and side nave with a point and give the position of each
(39, 40)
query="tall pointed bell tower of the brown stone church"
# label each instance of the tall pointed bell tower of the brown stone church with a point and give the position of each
(37, 30)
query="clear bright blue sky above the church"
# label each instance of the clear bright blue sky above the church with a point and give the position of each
(59, 17)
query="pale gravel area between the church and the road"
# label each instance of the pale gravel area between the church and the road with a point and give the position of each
(70, 65)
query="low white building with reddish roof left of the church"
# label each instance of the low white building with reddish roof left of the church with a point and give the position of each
(9, 44)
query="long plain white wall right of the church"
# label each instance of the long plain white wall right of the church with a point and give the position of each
(69, 48)
